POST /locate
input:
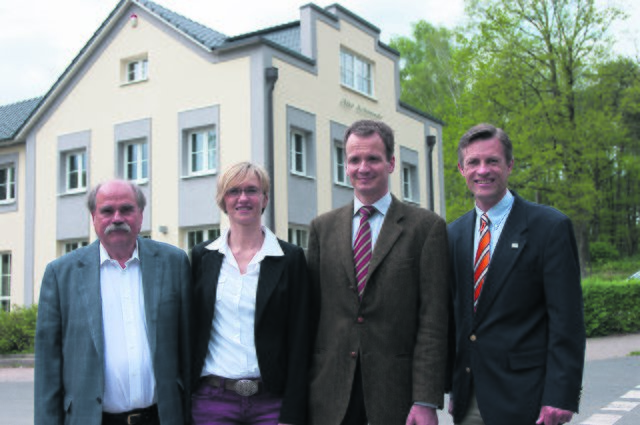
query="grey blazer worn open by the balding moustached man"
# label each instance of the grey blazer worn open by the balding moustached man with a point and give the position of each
(69, 360)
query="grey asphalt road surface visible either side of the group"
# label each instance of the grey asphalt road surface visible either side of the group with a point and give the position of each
(611, 386)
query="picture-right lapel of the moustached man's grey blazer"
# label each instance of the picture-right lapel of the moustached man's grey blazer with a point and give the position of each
(152, 271)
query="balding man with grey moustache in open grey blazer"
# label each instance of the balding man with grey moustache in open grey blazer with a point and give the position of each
(112, 343)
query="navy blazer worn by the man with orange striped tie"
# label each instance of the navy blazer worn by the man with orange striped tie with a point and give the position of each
(524, 347)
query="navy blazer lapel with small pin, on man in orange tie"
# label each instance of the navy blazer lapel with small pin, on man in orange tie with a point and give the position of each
(512, 242)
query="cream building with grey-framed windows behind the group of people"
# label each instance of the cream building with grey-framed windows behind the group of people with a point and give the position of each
(251, 94)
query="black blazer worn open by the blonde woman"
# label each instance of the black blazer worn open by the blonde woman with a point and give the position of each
(281, 323)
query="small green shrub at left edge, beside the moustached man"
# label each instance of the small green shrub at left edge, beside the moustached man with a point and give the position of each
(18, 330)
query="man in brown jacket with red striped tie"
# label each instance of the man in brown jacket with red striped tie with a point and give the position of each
(379, 298)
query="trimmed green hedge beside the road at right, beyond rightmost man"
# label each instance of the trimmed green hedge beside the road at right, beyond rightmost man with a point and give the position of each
(611, 307)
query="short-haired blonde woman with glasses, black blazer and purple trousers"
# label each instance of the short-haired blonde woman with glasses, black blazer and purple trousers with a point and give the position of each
(250, 350)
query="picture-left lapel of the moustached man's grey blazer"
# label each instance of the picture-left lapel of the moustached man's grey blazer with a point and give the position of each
(88, 285)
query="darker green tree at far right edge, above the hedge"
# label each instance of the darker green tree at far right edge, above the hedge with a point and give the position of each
(614, 93)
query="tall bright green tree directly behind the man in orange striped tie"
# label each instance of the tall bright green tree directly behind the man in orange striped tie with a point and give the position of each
(531, 62)
